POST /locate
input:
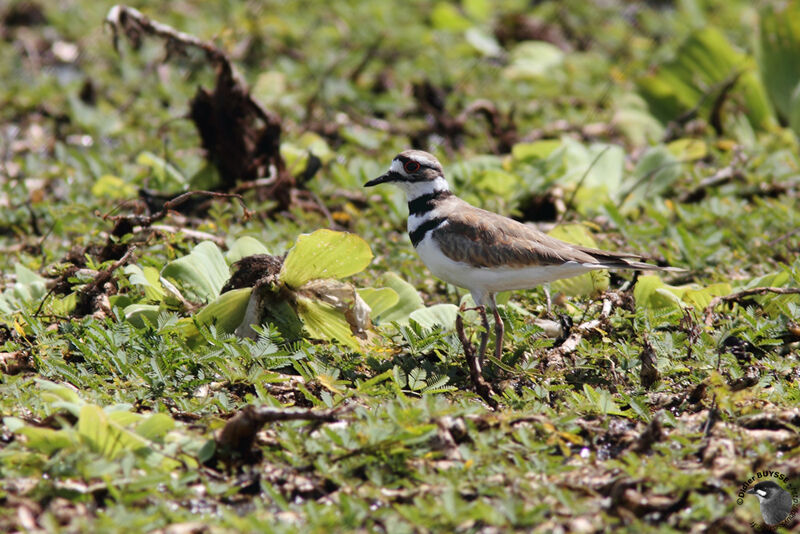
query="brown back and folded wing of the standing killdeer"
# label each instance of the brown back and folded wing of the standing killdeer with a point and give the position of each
(487, 239)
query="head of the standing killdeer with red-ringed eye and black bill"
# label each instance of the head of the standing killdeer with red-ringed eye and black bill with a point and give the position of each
(414, 171)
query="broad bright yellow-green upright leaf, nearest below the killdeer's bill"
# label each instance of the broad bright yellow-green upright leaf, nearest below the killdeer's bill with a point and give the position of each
(324, 254)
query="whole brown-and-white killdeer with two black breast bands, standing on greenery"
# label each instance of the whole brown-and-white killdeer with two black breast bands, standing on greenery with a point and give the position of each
(482, 251)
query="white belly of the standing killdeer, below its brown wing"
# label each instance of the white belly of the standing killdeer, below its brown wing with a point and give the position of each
(493, 280)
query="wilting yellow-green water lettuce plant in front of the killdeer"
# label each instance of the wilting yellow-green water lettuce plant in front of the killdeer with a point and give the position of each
(301, 294)
